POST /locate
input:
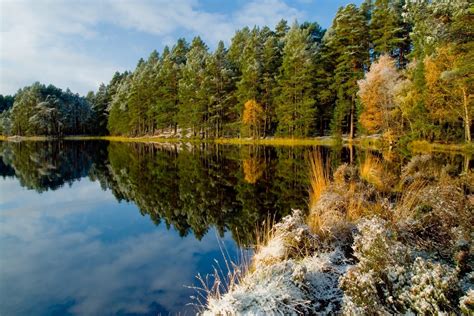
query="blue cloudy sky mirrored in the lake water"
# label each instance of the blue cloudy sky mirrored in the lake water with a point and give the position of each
(77, 250)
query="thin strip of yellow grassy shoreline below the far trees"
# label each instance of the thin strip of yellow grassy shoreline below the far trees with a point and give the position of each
(370, 142)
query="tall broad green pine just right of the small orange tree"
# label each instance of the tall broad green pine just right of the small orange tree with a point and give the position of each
(295, 101)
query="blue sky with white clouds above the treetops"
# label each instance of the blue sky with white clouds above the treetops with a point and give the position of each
(78, 44)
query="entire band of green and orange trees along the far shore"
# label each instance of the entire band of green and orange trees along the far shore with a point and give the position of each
(392, 67)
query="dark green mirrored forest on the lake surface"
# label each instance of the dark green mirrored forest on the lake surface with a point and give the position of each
(192, 187)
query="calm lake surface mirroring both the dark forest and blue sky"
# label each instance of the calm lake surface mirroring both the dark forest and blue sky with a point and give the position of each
(99, 228)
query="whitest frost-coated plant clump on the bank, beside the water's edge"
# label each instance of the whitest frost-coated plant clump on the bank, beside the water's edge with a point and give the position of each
(290, 282)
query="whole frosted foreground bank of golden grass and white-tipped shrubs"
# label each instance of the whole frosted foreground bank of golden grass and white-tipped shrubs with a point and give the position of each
(363, 250)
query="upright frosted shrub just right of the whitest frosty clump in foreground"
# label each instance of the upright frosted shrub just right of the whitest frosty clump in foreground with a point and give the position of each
(371, 285)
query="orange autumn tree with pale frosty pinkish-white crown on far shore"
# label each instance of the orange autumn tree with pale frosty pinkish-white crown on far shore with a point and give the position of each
(377, 94)
